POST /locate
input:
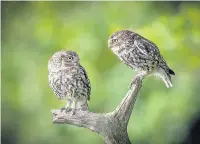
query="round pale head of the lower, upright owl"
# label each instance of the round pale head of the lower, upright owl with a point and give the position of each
(62, 59)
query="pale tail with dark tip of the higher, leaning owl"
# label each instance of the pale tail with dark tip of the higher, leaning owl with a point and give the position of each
(165, 74)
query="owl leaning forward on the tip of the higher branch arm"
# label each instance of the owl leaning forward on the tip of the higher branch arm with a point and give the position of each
(140, 54)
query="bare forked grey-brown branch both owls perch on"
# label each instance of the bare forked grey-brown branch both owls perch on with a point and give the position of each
(111, 126)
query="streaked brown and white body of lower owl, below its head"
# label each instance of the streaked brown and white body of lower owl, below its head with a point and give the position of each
(70, 83)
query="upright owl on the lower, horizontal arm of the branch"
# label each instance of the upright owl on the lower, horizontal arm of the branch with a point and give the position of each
(68, 79)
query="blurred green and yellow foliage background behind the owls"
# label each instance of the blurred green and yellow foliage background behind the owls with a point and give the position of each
(33, 31)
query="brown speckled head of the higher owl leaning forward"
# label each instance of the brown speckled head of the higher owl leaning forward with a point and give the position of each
(119, 38)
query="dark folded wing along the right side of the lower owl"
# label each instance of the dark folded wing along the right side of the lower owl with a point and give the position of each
(86, 81)
